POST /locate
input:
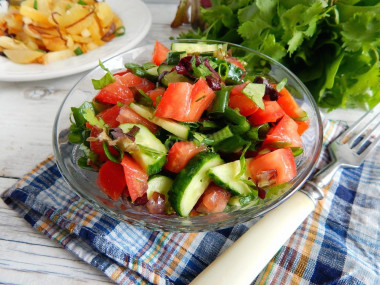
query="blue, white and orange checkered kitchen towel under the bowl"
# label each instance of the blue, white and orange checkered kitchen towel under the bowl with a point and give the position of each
(338, 244)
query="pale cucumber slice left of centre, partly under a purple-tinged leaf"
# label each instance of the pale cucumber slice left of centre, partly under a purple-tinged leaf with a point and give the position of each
(151, 155)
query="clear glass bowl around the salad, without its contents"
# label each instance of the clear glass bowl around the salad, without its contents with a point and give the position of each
(83, 182)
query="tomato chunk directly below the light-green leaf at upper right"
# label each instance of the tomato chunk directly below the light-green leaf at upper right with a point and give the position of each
(270, 114)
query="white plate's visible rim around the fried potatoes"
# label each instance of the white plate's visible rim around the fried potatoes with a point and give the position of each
(136, 19)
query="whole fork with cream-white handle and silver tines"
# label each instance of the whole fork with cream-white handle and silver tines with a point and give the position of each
(245, 259)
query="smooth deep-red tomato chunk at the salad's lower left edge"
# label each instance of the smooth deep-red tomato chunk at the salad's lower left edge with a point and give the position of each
(111, 179)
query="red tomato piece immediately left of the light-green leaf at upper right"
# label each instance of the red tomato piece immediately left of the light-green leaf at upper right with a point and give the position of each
(241, 101)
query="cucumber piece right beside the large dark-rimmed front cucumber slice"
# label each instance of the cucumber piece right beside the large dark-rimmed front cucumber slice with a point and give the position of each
(225, 176)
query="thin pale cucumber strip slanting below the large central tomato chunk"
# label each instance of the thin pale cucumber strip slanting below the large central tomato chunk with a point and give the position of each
(171, 126)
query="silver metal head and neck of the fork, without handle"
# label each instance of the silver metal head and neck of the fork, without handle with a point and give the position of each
(349, 150)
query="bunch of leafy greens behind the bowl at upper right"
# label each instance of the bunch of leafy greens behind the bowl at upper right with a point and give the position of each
(332, 46)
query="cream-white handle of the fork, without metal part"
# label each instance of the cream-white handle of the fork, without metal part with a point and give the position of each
(245, 259)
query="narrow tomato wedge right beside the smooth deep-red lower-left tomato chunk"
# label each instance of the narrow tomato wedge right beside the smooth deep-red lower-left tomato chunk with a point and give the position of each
(135, 177)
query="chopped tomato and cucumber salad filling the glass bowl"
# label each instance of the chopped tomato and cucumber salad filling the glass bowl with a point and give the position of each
(190, 133)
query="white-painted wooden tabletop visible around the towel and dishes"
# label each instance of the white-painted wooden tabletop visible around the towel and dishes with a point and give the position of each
(26, 256)
